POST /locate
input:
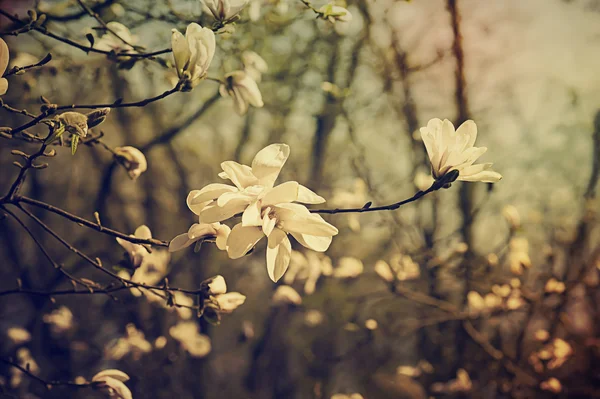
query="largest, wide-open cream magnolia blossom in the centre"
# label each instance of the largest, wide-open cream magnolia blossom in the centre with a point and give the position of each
(266, 210)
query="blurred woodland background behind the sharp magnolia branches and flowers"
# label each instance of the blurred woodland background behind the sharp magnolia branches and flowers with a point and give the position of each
(493, 289)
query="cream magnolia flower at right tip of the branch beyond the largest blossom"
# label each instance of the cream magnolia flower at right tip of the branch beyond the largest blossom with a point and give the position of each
(450, 149)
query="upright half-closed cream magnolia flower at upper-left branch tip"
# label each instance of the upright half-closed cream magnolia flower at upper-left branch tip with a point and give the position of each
(193, 53)
